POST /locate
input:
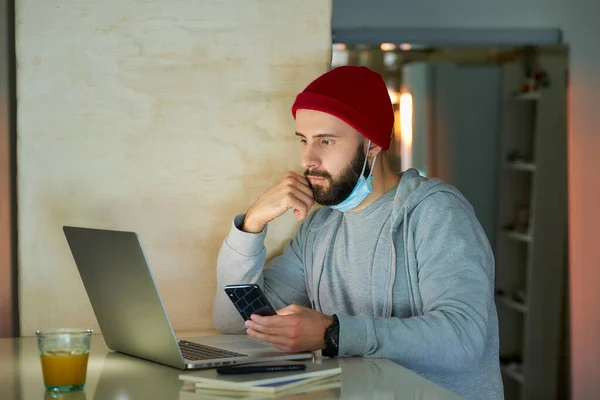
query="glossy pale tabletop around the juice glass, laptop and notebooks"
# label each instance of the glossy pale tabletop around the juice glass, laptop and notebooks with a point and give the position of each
(115, 376)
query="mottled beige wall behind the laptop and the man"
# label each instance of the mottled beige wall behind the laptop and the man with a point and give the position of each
(162, 117)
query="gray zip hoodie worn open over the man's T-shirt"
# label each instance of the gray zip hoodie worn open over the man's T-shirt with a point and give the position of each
(435, 239)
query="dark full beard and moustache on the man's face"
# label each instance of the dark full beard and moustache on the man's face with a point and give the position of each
(340, 187)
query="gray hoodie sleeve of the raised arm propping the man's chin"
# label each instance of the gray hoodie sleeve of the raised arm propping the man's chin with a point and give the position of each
(241, 260)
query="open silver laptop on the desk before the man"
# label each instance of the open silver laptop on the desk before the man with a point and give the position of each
(132, 316)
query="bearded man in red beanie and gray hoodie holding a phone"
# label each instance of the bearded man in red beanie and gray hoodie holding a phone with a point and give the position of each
(393, 266)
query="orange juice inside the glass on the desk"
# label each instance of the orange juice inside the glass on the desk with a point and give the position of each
(64, 369)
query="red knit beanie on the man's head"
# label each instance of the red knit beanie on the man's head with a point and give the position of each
(357, 96)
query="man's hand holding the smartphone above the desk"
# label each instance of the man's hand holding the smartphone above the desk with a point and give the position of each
(294, 329)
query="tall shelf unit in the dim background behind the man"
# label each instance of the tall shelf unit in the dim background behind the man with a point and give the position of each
(532, 218)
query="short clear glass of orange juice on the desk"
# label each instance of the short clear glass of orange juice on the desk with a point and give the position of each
(64, 354)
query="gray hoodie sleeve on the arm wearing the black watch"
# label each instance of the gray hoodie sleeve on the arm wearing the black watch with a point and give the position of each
(455, 267)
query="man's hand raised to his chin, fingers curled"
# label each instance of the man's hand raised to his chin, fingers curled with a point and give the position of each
(291, 192)
